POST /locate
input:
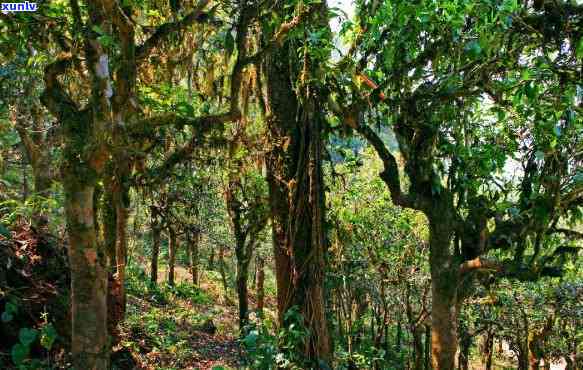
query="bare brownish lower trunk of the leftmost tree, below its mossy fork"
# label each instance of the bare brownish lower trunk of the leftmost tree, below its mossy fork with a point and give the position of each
(89, 342)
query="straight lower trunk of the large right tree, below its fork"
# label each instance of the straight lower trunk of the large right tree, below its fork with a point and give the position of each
(444, 280)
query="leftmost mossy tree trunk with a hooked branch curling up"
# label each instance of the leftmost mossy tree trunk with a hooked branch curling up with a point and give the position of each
(84, 156)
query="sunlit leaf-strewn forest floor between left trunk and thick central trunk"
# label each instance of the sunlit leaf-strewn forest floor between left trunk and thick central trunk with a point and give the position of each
(180, 328)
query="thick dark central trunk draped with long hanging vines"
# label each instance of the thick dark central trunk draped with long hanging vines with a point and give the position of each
(294, 175)
